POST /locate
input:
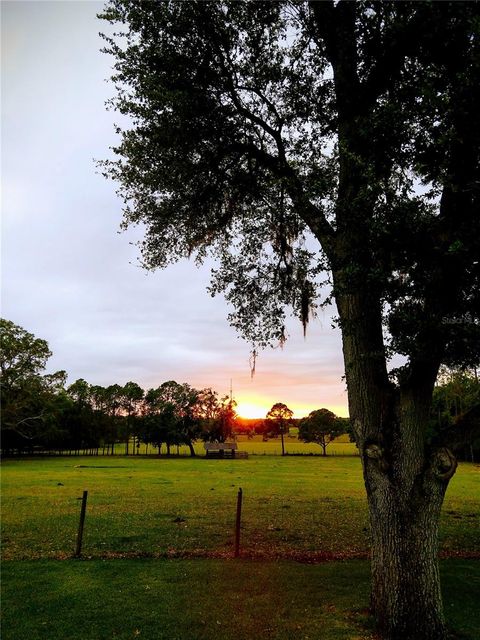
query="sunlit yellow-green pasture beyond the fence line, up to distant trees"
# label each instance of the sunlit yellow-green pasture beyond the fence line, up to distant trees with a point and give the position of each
(292, 507)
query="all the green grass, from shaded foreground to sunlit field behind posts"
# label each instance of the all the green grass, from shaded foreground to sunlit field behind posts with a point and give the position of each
(158, 545)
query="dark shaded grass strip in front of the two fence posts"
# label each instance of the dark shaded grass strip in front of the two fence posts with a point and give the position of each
(208, 599)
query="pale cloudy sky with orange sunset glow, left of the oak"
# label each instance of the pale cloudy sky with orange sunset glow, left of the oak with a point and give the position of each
(71, 277)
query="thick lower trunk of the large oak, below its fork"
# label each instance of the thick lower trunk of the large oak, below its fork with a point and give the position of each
(404, 516)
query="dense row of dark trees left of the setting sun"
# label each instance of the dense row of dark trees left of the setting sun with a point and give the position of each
(41, 413)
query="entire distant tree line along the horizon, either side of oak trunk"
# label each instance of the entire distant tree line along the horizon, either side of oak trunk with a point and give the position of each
(41, 413)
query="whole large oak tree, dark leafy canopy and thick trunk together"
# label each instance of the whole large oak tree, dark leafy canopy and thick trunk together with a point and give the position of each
(324, 151)
